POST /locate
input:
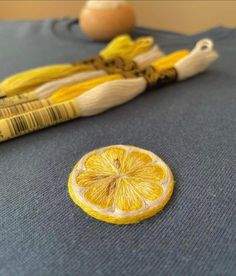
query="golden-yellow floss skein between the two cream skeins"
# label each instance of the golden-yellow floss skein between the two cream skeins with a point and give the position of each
(70, 92)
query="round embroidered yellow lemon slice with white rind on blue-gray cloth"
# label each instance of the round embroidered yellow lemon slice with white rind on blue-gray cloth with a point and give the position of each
(121, 184)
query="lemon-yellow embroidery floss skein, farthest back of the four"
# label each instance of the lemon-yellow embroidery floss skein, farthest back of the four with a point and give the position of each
(28, 80)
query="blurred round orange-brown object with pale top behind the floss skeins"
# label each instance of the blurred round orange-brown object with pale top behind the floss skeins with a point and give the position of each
(103, 20)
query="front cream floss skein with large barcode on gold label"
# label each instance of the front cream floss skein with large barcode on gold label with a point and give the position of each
(109, 94)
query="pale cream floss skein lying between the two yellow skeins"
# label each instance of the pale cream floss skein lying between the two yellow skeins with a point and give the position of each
(45, 90)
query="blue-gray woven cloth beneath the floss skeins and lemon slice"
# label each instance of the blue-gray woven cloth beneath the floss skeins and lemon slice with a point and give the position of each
(190, 124)
